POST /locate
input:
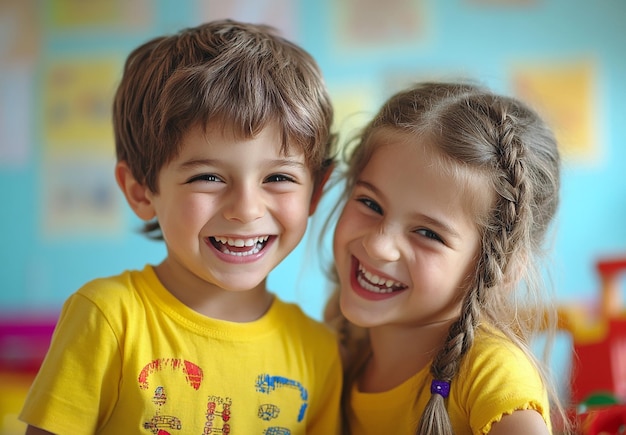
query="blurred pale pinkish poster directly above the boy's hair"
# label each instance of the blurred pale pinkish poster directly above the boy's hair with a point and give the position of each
(280, 14)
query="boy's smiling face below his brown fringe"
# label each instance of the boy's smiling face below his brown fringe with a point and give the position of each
(230, 209)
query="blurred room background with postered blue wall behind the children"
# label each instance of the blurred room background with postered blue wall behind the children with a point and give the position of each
(64, 222)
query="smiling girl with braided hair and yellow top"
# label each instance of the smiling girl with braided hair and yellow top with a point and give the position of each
(450, 192)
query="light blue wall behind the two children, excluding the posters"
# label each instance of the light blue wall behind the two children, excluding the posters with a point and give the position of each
(41, 268)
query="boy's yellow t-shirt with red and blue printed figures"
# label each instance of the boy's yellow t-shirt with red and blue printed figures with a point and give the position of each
(128, 357)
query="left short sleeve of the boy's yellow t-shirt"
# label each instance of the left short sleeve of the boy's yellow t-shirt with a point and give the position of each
(74, 396)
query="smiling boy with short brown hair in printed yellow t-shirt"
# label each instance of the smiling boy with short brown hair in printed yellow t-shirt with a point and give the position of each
(223, 137)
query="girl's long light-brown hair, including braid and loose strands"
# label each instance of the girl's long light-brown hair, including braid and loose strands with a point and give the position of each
(501, 143)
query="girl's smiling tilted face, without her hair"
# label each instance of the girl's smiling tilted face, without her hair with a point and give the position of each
(406, 242)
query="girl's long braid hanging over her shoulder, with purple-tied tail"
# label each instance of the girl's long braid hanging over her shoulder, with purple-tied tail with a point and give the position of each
(501, 238)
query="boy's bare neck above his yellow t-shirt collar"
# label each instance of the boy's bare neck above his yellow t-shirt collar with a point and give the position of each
(214, 302)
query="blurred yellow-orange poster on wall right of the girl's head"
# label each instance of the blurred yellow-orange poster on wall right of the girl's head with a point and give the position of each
(565, 92)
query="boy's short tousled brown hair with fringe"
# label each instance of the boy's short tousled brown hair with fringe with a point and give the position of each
(239, 76)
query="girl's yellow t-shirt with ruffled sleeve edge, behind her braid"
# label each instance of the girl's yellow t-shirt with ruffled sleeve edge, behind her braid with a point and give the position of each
(495, 378)
